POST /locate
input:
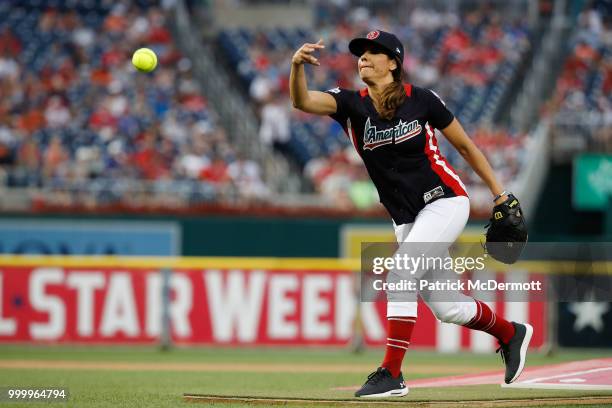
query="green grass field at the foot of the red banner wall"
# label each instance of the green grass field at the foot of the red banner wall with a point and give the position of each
(135, 377)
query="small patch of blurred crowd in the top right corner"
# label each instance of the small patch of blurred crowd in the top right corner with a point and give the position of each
(582, 104)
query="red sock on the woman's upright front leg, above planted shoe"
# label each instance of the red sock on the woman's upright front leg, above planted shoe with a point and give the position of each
(398, 339)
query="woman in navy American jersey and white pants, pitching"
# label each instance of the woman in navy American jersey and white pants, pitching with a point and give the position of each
(391, 125)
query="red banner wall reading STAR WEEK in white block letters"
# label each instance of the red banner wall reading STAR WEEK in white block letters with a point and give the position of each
(55, 301)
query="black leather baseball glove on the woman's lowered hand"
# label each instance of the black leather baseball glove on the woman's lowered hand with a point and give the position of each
(506, 232)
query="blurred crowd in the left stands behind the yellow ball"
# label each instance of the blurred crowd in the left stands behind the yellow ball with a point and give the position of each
(80, 123)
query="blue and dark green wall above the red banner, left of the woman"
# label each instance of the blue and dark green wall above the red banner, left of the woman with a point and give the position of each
(215, 235)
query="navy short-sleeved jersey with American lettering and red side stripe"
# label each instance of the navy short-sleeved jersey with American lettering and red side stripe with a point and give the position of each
(401, 154)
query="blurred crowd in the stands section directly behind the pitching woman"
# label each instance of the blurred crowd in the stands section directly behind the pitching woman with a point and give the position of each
(468, 58)
